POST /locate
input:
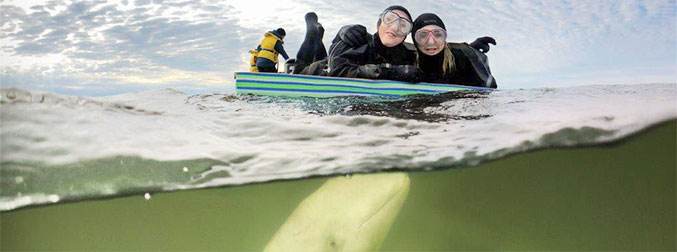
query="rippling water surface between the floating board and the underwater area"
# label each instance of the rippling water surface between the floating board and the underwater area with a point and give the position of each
(82, 147)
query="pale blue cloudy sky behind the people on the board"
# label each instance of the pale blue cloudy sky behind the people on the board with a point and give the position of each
(110, 47)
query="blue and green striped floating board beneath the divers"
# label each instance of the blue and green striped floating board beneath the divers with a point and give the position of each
(292, 85)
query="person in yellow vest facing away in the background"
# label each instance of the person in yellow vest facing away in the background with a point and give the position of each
(269, 49)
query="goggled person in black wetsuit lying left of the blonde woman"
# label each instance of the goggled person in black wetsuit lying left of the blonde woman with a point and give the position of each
(381, 56)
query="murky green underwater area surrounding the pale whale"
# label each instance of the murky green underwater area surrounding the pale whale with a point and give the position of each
(613, 197)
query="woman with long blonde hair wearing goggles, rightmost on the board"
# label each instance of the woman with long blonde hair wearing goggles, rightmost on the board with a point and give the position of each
(453, 63)
